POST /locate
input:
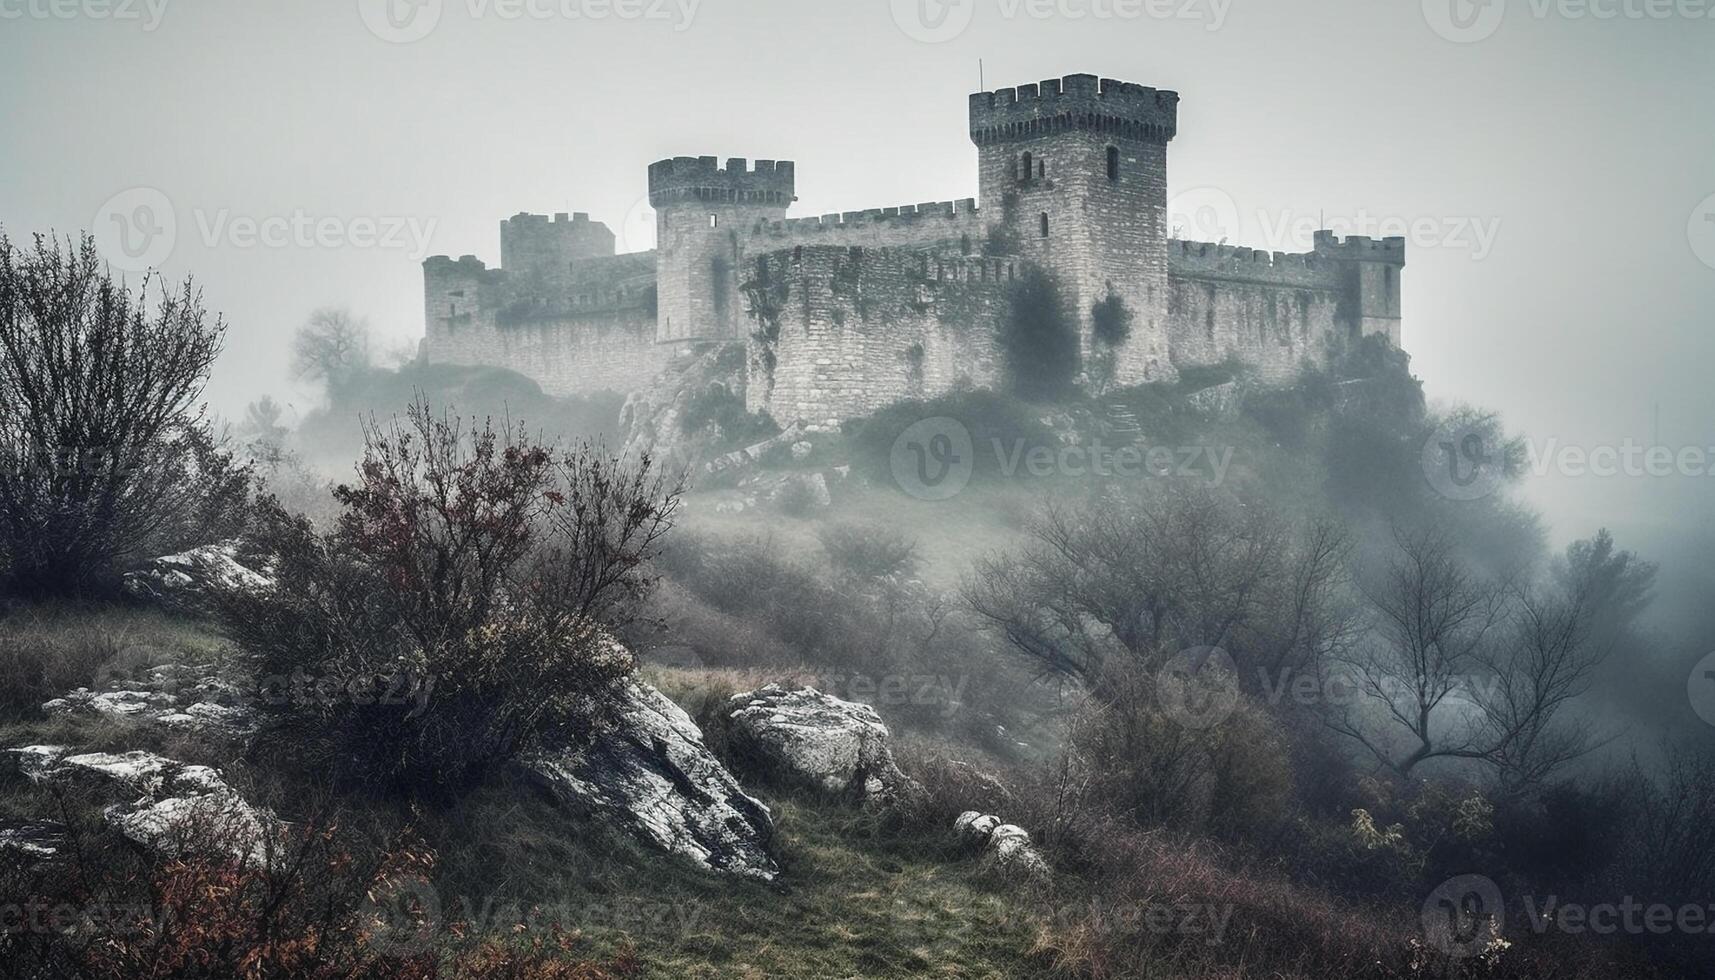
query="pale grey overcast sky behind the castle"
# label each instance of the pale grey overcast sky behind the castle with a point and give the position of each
(1553, 164)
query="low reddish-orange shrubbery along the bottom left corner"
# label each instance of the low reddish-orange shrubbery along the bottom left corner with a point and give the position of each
(323, 905)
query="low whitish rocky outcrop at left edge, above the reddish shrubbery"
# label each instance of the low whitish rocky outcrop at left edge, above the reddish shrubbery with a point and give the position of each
(162, 806)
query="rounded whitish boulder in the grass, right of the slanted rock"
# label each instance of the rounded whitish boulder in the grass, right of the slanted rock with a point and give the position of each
(817, 741)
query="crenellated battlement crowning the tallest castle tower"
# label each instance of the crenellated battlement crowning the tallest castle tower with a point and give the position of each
(1076, 102)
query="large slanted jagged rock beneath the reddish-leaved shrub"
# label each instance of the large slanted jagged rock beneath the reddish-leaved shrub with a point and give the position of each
(654, 777)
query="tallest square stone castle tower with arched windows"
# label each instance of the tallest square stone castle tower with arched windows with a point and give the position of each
(1078, 172)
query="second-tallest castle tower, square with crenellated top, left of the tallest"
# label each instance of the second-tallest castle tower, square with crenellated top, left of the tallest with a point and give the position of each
(704, 215)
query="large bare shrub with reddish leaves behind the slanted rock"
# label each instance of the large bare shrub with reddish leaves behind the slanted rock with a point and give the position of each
(454, 619)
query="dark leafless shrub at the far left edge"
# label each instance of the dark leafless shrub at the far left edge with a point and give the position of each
(105, 452)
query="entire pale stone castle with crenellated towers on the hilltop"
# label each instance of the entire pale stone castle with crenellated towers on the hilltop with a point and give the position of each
(848, 313)
